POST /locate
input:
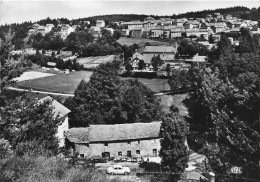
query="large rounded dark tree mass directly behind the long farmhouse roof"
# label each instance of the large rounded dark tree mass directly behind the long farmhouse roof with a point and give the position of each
(105, 99)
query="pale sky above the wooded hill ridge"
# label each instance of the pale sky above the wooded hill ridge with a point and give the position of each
(32, 10)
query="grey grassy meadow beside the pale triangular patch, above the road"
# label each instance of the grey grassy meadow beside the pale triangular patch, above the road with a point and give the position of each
(61, 83)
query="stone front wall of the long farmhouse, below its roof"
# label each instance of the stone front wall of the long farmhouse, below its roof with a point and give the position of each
(148, 147)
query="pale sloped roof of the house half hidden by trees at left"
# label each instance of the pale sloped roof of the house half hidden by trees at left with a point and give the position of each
(59, 109)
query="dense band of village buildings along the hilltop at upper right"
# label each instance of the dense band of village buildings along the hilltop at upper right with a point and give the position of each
(174, 28)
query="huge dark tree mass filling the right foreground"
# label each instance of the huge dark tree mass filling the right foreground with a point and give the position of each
(227, 120)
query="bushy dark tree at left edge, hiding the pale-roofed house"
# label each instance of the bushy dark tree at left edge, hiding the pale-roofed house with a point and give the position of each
(30, 125)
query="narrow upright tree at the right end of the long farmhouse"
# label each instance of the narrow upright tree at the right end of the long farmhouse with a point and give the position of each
(173, 132)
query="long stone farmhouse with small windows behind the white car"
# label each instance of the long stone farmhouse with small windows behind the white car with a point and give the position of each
(119, 140)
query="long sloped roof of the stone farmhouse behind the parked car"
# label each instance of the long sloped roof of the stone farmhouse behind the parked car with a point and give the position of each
(118, 132)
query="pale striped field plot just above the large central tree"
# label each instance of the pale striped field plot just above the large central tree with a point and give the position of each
(93, 62)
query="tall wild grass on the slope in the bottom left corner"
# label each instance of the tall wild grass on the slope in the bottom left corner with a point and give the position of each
(31, 168)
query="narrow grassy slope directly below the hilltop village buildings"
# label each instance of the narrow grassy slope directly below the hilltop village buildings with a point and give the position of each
(140, 41)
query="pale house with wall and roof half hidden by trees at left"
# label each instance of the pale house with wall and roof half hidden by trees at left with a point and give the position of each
(61, 112)
